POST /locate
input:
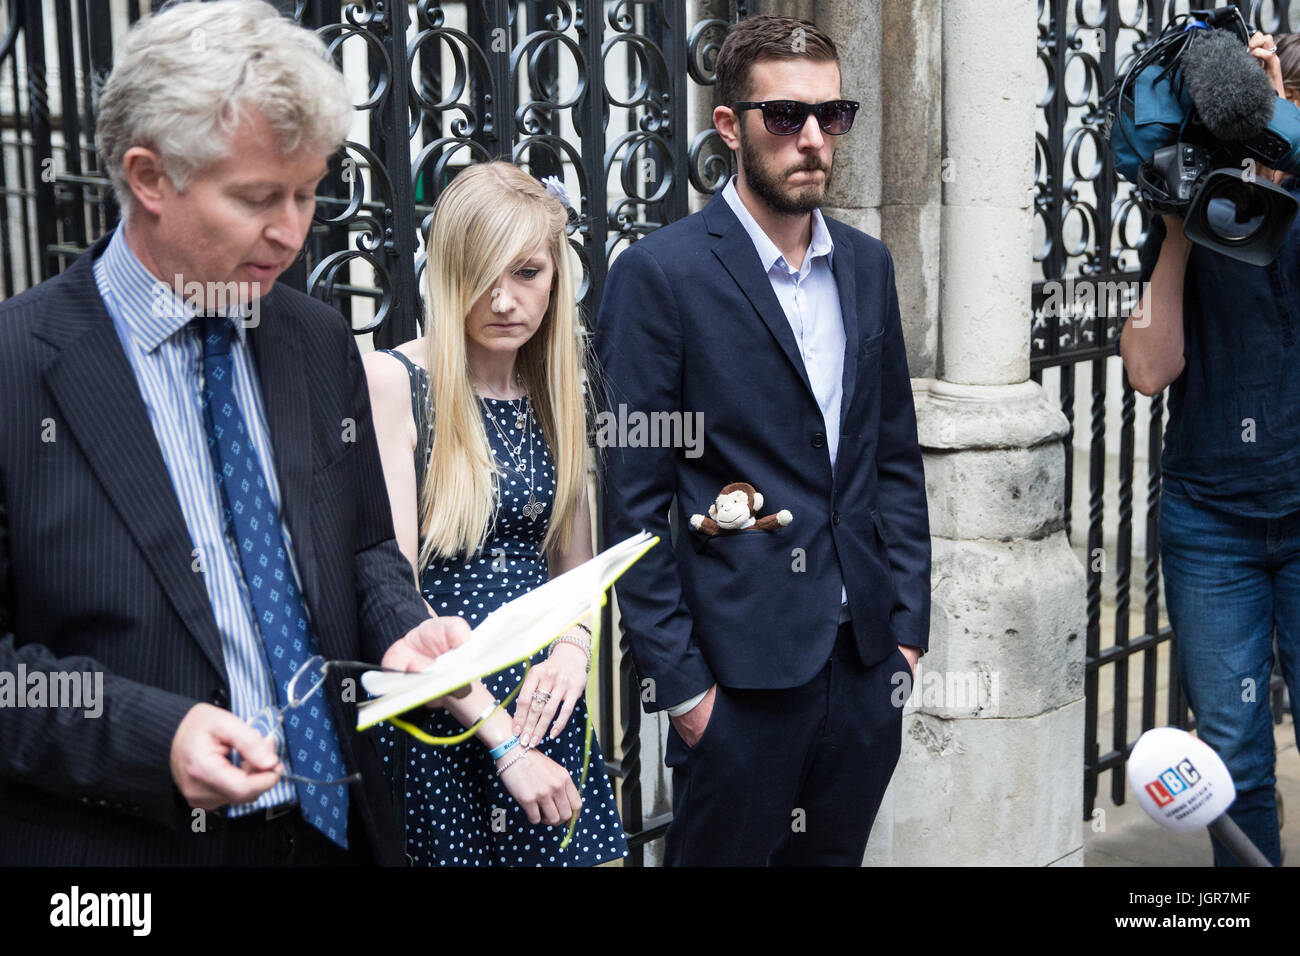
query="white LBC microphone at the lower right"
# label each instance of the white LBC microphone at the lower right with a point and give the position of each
(1184, 786)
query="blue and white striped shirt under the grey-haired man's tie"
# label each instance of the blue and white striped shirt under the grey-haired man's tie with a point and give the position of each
(166, 354)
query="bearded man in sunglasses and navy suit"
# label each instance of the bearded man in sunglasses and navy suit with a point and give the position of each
(777, 654)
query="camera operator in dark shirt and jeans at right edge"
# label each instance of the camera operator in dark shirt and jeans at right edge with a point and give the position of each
(1221, 335)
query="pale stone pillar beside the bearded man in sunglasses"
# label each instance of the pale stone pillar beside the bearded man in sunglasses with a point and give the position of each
(991, 771)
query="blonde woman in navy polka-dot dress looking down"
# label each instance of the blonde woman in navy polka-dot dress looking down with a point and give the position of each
(483, 434)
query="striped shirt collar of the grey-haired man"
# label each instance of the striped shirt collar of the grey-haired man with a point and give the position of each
(148, 306)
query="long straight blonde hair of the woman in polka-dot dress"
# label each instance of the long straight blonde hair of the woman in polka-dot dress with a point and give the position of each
(487, 222)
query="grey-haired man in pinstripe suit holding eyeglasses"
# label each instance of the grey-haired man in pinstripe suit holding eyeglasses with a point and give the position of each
(192, 503)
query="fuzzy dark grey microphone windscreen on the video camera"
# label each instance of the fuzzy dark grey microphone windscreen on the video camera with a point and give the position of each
(1229, 88)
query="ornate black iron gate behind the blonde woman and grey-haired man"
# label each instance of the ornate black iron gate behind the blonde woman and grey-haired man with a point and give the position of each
(595, 93)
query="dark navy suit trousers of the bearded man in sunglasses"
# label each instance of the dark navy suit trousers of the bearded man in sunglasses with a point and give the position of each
(791, 777)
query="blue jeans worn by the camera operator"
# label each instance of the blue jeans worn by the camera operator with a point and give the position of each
(1230, 582)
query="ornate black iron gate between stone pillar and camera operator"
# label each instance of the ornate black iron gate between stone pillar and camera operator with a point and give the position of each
(1089, 231)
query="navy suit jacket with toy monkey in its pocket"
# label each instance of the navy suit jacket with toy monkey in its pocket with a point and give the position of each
(690, 323)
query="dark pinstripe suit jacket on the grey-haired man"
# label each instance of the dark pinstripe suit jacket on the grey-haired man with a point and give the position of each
(97, 572)
